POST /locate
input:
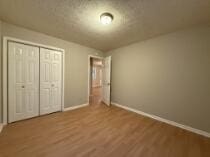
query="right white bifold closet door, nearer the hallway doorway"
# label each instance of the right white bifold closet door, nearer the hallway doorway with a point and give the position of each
(50, 81)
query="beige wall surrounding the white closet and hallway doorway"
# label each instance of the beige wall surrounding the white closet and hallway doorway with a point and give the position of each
(76, 61)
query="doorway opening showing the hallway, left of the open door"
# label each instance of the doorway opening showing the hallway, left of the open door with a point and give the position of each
(95, 81)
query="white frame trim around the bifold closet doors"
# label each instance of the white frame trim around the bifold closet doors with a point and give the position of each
(5, 70)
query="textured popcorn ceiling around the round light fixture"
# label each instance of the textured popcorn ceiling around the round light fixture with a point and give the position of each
(78, 20)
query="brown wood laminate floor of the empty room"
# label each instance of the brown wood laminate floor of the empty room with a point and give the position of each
(99, 131)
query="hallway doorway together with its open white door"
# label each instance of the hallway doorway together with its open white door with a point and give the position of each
(99, 80)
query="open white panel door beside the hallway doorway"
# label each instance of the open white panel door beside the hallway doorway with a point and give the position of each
(106, 80)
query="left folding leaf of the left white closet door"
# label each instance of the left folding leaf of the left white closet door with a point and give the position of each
(16, 80)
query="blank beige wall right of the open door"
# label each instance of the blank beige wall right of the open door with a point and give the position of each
(168, 76)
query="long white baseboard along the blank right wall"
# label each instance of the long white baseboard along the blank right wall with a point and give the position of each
(188, 128)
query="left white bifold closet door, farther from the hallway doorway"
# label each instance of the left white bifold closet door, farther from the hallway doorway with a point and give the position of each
(23, 81)
